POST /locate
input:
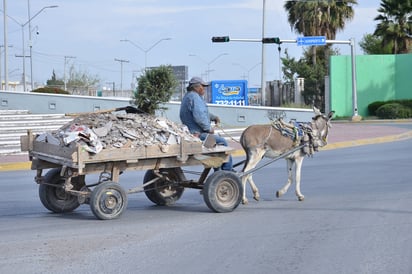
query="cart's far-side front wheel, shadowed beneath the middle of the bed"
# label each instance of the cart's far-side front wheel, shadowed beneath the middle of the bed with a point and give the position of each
(164, 192)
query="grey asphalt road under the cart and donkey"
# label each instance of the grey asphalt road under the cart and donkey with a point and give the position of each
(356, 218)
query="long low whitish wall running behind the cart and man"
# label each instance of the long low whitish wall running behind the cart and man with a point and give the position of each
(230, 116)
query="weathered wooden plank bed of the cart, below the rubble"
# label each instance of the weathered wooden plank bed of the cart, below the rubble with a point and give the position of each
(46, 155)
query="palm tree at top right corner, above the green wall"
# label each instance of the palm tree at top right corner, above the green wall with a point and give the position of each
(395, 25)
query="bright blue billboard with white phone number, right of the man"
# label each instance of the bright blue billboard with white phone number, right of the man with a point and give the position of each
(229, 92)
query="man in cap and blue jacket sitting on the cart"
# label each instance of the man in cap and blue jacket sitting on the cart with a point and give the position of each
(195, 115)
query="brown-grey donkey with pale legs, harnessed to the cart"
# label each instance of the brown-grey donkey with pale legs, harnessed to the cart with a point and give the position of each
(272, 140)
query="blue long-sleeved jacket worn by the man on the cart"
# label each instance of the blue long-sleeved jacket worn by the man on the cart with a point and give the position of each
(195, 114)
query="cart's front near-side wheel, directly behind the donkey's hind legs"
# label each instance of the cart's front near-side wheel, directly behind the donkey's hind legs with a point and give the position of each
(222, 191)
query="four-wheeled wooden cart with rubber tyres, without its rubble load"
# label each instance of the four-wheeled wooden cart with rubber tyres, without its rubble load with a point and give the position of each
(63, 188)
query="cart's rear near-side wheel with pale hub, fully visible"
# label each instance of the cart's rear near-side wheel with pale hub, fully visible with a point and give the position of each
(108, 200)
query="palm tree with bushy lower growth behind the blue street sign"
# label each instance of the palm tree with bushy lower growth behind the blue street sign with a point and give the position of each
(316, 18)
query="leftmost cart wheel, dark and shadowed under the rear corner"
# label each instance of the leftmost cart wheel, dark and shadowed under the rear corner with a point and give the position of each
(55, 198)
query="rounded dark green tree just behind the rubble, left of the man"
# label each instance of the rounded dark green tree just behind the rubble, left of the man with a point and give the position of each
(155, 87)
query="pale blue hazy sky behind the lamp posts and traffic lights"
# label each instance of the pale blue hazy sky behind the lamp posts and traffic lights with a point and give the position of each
(88, 34)
